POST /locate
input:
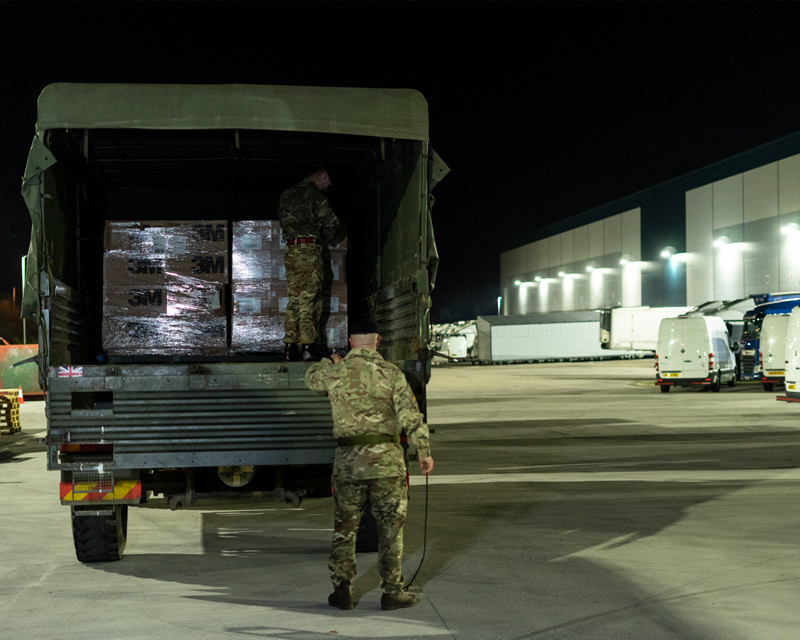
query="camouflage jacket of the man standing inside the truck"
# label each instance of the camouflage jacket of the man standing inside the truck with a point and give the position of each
(305, 212)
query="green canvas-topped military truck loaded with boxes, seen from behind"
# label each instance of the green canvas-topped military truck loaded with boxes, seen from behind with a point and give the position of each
(171, 428)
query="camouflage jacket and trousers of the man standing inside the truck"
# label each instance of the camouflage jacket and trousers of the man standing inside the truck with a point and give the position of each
(305, 212)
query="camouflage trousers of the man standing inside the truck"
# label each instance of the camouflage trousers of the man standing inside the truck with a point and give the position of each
(303, 264)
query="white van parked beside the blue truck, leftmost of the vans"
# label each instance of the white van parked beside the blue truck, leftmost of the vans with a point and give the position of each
(694, 351)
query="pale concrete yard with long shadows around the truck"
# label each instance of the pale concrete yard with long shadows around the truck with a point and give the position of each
(568, 500)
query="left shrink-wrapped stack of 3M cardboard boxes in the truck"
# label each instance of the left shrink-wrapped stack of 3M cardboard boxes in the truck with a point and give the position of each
(164, 287)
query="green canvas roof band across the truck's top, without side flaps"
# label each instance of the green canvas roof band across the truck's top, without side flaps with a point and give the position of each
(388, 113)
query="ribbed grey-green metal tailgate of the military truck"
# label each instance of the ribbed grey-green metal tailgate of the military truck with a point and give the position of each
(187, 415)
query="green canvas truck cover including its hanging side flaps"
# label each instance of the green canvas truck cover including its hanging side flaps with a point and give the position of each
(385, 113)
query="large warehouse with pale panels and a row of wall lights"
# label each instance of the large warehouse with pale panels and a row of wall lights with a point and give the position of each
(722, 232)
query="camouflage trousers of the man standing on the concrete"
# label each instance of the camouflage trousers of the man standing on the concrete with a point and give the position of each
(389, 500)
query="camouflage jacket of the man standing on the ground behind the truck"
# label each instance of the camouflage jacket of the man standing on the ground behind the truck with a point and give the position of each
(369, 395)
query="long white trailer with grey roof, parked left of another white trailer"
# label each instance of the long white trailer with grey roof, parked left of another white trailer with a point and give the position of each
(533, 337)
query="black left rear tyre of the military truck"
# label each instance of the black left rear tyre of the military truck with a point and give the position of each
(100, 538)
